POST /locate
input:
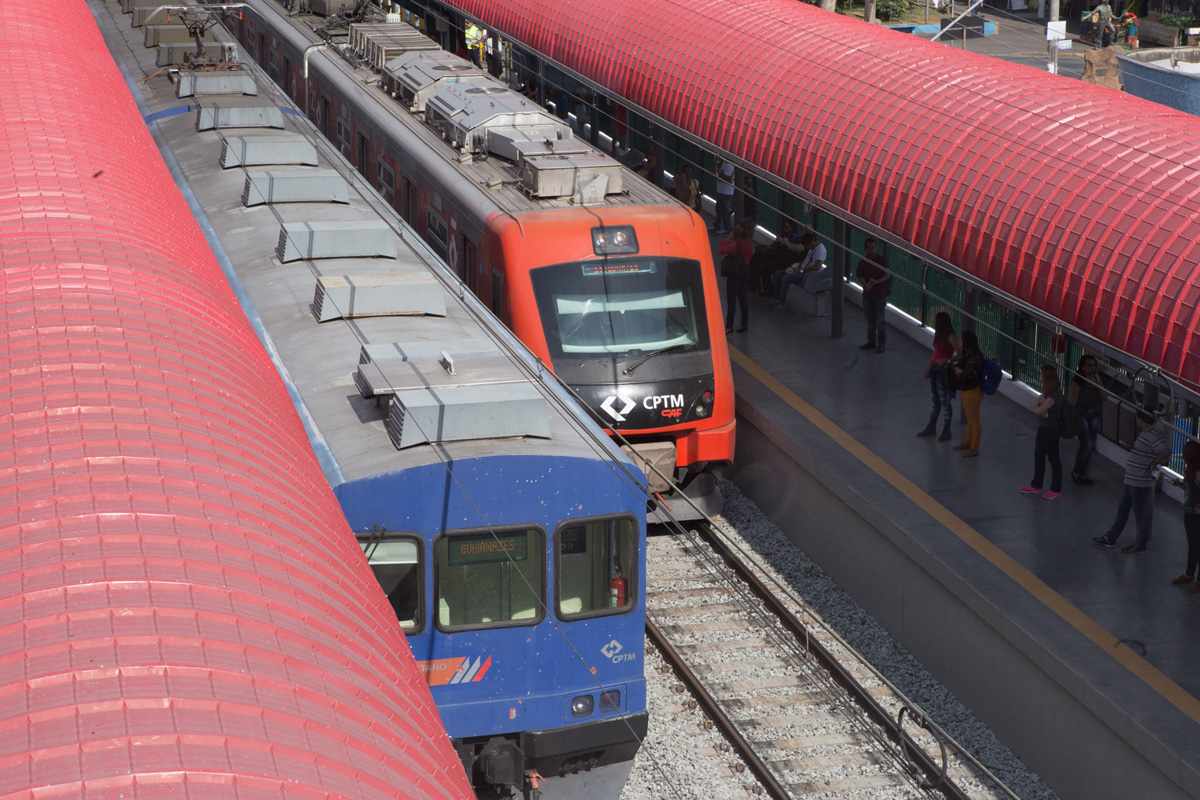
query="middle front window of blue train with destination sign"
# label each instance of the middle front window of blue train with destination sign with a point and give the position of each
(490, 579)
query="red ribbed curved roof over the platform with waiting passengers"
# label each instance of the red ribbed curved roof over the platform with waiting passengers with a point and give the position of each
(1075, 199)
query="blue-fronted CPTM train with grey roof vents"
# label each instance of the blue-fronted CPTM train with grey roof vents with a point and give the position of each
(505, 527)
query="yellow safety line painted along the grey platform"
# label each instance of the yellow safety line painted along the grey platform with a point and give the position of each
(1153, 676)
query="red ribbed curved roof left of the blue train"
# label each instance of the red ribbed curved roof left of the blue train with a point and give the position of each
(184, 612)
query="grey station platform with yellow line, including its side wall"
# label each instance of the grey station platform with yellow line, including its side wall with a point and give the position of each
(1087, 663)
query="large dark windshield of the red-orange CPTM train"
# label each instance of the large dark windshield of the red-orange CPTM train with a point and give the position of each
(622, 306)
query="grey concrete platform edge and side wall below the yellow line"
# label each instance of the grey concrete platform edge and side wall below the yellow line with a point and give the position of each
(1033, 699)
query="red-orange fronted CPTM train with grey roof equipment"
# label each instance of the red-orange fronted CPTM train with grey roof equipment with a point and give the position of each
(605, 276)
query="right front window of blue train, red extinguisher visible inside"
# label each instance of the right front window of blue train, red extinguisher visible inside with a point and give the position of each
(596, 567)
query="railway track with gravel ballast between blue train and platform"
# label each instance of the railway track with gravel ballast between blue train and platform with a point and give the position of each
(787, 696)
